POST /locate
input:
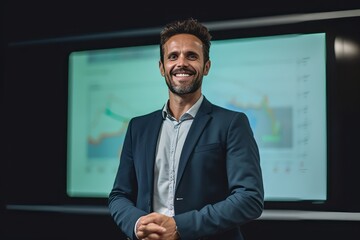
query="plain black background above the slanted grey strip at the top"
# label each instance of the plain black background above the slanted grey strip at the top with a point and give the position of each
(27, 20)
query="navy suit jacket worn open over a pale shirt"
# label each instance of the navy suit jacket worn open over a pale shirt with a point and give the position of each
(219, 181)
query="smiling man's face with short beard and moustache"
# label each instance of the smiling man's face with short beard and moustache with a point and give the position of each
(183, 66)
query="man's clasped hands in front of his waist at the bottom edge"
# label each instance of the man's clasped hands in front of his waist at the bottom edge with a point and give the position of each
(155, 226)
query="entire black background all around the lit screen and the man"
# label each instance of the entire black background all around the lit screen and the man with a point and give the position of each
(34, 110)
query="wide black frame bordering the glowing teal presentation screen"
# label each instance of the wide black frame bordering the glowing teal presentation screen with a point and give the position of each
(41, 172)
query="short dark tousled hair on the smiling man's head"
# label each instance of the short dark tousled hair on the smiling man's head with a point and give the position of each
(188, 26)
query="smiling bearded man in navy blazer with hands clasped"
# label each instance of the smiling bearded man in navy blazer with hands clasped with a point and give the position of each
(191, 170)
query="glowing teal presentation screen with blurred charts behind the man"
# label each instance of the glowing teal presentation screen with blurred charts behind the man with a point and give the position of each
(278, 81)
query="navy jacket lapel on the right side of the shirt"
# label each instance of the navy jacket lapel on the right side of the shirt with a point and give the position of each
(200, 121)
